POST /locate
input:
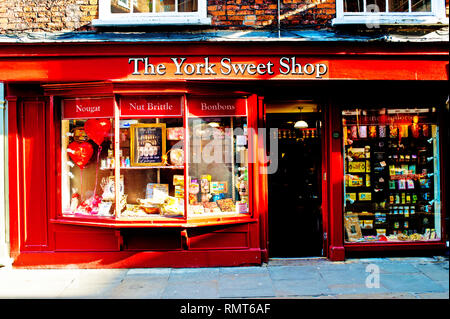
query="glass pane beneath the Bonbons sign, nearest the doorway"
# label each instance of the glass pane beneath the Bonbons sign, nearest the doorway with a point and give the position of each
(218, 163)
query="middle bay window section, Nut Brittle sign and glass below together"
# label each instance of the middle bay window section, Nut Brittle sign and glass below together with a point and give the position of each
(152, 157)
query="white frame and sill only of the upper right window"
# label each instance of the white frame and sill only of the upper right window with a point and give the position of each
(435, 17)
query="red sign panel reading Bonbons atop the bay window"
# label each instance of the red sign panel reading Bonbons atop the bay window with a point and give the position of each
(216, 106)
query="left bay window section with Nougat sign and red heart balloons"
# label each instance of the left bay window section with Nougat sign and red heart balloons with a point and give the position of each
(87, 134)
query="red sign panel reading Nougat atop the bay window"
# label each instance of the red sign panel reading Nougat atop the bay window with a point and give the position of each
(87, 108)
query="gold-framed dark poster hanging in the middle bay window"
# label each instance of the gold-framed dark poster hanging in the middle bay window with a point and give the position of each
(148, 144)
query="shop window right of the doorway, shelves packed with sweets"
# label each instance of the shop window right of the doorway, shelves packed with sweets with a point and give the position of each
(391, 175)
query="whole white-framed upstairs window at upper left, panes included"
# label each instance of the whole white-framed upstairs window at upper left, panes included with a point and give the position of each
(151, 12)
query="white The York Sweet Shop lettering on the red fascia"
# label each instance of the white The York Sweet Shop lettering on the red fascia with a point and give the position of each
(287, 66)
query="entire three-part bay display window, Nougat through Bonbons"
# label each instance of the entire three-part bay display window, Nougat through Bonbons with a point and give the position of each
(125, 158)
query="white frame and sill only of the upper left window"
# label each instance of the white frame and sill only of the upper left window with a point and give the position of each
(106, 18)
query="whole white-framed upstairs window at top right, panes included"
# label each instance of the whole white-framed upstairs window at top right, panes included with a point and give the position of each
(375, 13)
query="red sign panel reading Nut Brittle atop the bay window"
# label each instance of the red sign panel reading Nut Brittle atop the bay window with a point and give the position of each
(150, 106)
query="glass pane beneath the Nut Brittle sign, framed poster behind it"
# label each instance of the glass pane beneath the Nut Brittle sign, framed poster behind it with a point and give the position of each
(152, 168)
